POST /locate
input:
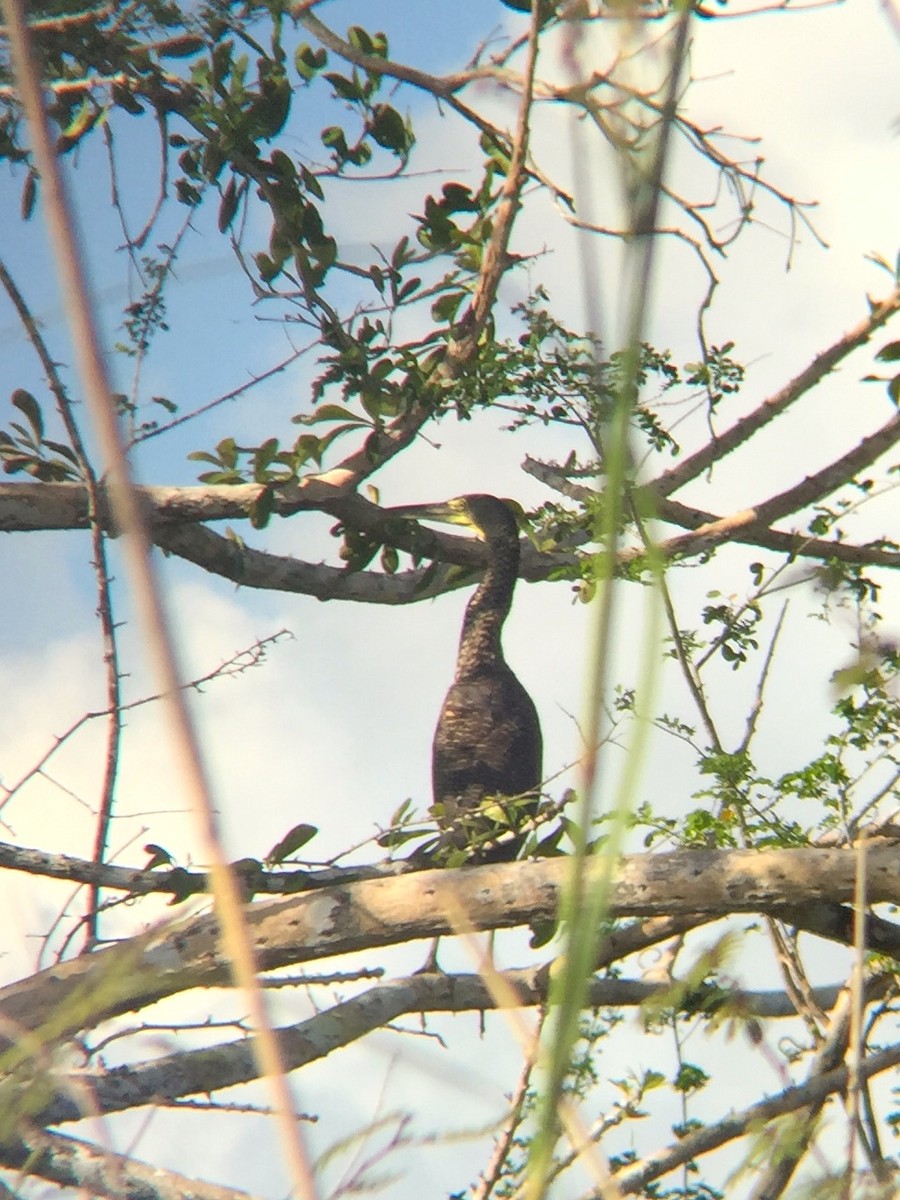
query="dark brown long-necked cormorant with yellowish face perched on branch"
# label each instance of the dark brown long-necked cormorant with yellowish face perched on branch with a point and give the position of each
(488, 747)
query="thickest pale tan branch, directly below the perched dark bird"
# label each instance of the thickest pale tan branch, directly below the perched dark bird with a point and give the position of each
(387, 913)
